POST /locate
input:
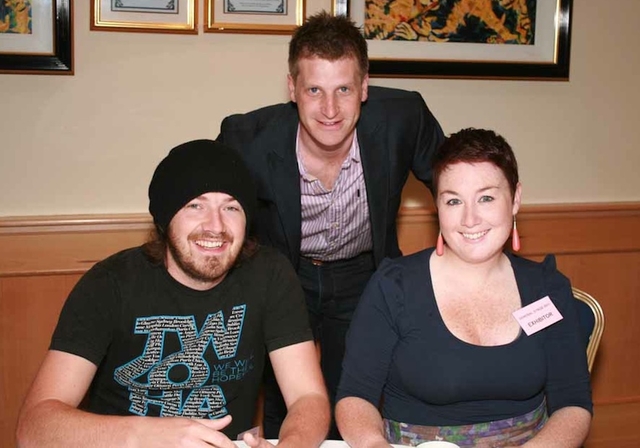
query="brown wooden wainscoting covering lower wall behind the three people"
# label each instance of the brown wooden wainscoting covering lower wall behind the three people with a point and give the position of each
(597, 246)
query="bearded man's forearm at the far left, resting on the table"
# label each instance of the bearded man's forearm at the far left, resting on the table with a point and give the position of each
(55, 424)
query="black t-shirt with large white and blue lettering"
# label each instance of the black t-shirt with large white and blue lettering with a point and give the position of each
(163, 349)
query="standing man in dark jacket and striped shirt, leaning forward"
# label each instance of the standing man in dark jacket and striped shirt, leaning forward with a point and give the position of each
(331, 166)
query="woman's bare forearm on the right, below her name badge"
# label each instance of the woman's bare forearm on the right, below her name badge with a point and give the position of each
(566, 428)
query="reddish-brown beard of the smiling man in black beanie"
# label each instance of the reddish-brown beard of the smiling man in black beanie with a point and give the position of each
(204, 269)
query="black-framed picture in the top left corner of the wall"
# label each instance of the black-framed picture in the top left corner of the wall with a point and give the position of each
(36, 37)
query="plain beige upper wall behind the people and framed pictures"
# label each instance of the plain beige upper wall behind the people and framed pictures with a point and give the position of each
(88, 143)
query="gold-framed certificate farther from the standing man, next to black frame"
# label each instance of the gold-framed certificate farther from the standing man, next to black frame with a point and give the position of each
(146, 16)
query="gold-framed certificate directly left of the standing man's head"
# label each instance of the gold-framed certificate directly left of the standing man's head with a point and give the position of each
(254, 16)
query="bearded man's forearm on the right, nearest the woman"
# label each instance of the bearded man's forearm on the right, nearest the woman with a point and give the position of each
(307, 422)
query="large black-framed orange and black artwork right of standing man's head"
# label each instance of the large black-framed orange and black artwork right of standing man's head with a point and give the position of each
(482, 39)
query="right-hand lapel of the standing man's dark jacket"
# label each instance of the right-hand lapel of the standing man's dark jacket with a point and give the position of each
(375, 164)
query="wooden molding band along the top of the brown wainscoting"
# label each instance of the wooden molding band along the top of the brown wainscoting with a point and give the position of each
(61, 244)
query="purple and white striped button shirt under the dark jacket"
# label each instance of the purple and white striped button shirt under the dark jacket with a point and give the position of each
(335, 223)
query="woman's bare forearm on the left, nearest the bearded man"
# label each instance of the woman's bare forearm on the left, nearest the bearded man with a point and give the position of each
(360, 423)
